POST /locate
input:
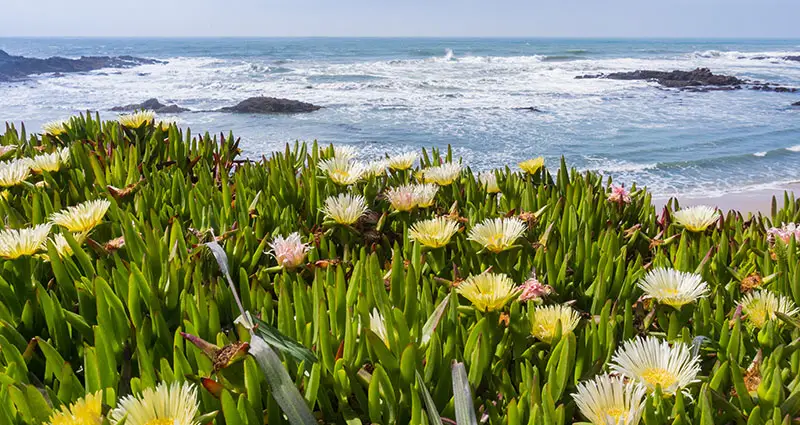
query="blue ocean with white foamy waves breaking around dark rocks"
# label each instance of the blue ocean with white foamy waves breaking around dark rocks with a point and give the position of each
(392, 95)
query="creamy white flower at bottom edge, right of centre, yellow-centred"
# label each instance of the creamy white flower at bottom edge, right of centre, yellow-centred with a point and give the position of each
(609, 400)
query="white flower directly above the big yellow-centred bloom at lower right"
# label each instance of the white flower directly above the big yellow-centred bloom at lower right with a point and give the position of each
(672, 287)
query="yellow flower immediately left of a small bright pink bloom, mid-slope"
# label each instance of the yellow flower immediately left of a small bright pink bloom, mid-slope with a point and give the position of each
(488, 291)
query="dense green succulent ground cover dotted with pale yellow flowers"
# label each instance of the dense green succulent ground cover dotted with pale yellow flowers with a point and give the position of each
(399, 290)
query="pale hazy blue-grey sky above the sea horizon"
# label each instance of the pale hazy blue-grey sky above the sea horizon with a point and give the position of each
(555, 18)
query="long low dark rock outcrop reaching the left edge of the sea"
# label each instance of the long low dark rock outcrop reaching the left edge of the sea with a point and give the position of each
(18, 67)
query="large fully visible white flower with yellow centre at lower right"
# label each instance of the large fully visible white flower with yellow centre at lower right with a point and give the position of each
(653, 362)
